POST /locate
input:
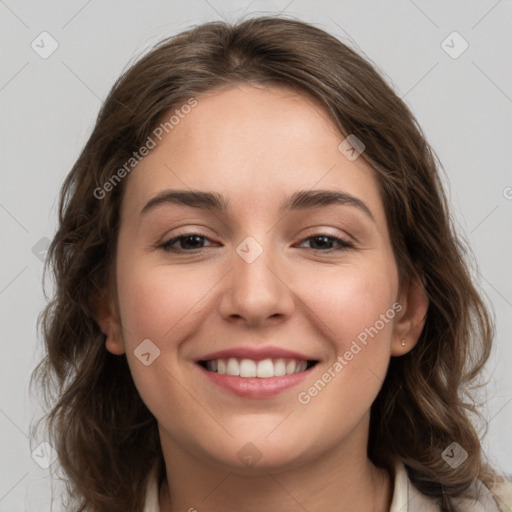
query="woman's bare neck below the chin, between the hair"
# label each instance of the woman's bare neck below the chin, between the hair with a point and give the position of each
(342, 479)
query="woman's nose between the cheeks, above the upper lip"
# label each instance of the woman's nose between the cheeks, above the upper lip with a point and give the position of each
(258, 292)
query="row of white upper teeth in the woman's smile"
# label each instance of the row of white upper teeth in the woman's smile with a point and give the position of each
(262, 369)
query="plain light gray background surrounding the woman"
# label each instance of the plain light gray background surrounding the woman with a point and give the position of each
(48, 107)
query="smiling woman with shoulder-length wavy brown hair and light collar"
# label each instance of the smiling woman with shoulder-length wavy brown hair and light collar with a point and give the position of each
(261, 303)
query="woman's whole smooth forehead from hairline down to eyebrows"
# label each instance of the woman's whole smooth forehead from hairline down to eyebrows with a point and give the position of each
(253, 144)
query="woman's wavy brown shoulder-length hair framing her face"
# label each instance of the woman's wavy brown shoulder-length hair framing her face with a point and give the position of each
(105, 436)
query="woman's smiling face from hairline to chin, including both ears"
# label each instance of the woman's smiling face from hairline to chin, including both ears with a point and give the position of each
(269, 281)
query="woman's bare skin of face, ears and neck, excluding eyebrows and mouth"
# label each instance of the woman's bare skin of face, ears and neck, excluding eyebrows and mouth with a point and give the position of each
(257, 145)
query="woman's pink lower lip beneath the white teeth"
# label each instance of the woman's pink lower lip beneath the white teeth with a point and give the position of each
(254, 387)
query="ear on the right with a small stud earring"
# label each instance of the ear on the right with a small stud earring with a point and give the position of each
(410, 319)
